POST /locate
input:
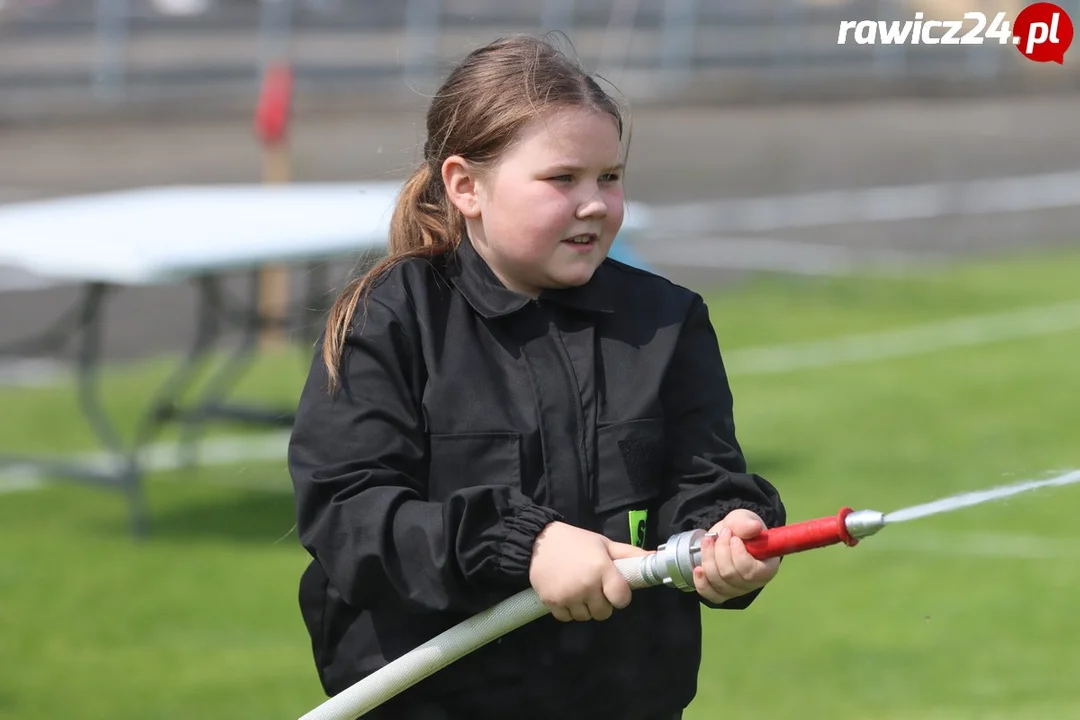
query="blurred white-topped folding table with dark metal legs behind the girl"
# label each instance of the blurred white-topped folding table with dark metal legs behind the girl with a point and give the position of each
(110, 241)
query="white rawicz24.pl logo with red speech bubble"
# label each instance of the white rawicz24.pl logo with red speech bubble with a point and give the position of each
(1042, 32)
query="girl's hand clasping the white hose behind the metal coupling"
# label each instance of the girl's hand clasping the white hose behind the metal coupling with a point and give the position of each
(573, 572)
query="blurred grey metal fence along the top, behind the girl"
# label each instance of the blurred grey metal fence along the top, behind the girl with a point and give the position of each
(120, 53)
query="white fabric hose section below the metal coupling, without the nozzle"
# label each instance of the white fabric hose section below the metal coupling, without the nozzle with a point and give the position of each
(448, 647)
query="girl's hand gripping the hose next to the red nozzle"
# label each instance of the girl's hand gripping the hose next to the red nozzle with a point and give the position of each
(727, 569)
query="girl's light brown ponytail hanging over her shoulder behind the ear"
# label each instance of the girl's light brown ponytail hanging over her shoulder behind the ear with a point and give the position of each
(425, 225)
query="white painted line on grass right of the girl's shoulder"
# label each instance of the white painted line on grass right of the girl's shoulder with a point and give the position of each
(907, 343)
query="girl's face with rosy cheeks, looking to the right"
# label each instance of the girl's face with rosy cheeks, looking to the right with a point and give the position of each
(546, 215)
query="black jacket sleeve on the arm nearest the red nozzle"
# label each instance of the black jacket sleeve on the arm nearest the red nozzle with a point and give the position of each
(708, 476)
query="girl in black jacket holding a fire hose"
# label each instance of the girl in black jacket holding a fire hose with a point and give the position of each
(498, 405)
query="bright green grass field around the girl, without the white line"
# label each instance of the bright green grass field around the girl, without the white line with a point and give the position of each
(963, 616)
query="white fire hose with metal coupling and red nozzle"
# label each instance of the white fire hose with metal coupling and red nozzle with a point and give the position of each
(672, 565)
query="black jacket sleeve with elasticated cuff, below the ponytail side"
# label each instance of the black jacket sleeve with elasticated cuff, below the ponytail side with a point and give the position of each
(359, 464)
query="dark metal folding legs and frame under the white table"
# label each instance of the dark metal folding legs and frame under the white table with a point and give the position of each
(84, 325)
